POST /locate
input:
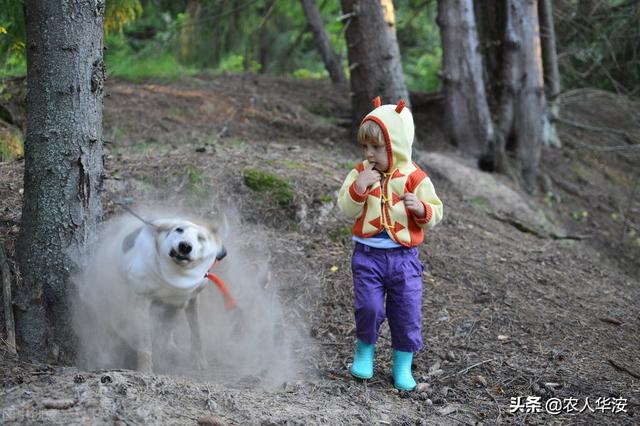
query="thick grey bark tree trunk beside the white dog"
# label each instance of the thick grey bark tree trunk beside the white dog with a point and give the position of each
(63, 166)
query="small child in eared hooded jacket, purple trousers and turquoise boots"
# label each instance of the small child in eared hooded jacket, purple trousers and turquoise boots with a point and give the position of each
(393, 202)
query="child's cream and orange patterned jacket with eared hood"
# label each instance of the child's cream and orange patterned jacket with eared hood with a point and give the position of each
(381, 208)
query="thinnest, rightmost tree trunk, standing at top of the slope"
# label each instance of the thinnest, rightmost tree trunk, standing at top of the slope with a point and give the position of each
(551, 72)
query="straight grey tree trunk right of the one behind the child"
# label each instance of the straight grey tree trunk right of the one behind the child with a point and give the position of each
(467, 119)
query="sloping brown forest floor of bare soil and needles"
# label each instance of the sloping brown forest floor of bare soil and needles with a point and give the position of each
(542, 300)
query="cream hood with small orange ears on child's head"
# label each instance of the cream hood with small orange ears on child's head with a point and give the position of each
(396, 123)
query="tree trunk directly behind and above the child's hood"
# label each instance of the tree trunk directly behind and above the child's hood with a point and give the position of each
(374, 57)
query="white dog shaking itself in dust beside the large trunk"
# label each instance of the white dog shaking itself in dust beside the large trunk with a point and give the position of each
(150, 274)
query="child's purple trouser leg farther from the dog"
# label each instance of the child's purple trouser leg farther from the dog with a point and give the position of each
(404, 300)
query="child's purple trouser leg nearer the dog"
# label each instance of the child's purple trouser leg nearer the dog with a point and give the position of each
(368, 287)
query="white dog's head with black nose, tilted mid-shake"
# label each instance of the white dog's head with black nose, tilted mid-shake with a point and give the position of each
(188, 244)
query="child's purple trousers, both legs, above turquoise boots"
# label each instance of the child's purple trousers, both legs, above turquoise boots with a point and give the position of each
(396, 273)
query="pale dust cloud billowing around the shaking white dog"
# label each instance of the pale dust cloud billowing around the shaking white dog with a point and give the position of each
(253, 343)
